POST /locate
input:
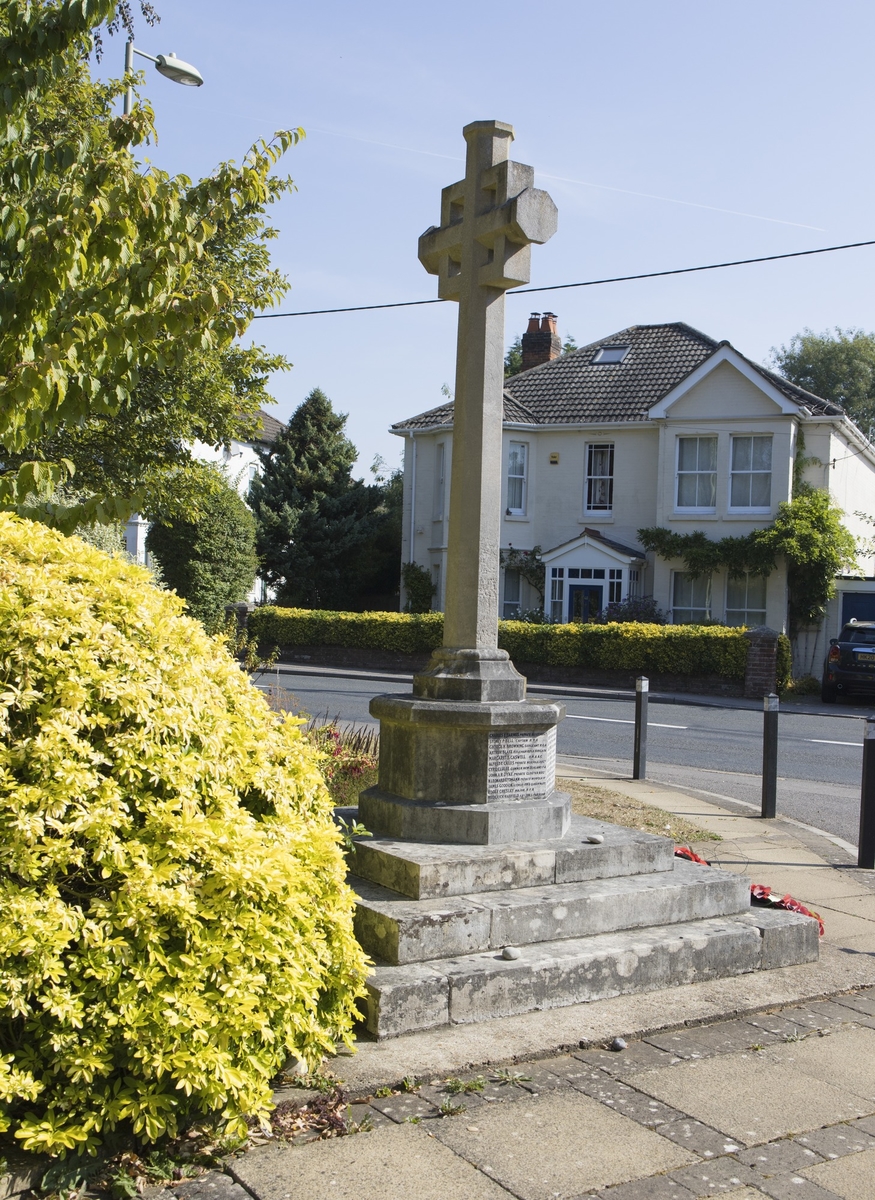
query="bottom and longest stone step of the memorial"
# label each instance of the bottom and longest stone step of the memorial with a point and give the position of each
(553, 975)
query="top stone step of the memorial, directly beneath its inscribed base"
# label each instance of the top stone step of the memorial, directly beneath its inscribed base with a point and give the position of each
(428, 871)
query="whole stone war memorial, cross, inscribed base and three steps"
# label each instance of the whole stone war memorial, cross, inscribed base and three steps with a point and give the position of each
(481, 895)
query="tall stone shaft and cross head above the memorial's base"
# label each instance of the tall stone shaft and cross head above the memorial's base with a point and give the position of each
(489, 221)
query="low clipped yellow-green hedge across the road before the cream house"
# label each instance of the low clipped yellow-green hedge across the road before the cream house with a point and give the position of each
(627, 646)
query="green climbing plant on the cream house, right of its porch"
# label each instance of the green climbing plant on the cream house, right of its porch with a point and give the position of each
(808, 532)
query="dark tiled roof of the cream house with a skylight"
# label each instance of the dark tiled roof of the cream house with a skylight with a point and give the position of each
(574, 389)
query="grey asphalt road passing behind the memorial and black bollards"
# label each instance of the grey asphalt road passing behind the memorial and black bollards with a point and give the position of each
(714, 752)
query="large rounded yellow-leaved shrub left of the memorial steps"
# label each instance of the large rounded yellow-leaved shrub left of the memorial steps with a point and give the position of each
(173, 904)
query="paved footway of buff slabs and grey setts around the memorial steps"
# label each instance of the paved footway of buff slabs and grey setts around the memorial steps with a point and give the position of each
(757, 1087)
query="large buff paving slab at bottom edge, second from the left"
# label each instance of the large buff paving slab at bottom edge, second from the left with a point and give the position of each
(564, 1145)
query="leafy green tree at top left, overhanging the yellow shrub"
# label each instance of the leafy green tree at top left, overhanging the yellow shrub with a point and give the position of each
(122, 287)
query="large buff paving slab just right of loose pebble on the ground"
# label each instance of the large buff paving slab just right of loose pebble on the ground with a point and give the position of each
(752, 1100)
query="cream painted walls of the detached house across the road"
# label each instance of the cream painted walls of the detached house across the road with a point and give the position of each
(724, 404)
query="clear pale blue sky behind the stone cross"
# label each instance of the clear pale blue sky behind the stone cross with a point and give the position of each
(669, 135)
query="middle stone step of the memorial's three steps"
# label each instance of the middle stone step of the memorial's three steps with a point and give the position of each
(398, 931)
